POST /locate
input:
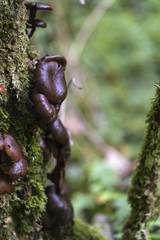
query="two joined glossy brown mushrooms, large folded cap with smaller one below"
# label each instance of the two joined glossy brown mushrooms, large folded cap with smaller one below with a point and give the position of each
(50, 86)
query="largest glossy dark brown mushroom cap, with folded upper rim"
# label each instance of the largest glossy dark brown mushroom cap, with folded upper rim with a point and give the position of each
(50, 81)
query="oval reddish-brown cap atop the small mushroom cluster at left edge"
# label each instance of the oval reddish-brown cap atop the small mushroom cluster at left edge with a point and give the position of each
(12, 148)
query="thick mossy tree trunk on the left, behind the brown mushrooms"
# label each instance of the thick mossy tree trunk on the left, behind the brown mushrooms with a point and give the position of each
(20, 211)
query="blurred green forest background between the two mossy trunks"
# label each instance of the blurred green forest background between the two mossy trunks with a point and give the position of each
(112, 48)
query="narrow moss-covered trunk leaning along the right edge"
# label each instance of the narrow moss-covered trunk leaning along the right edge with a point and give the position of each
(143, 194)
